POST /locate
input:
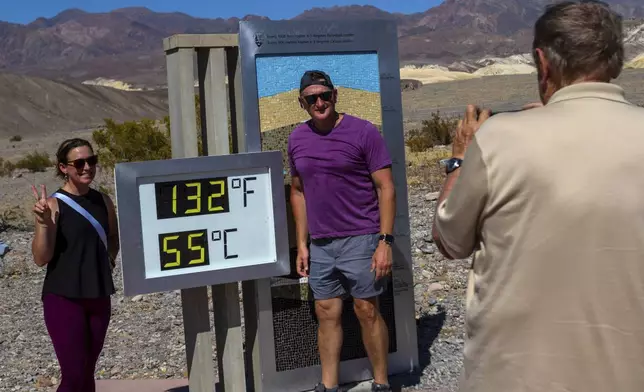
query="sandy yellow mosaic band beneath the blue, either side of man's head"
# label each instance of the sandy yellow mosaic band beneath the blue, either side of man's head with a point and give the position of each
(280, 110)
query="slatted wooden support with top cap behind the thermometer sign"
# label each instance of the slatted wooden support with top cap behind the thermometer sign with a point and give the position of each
(216, 55)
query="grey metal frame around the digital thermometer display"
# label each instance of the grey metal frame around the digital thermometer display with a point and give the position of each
(127, 180)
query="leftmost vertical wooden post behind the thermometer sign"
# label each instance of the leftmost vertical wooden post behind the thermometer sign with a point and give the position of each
(194, 302)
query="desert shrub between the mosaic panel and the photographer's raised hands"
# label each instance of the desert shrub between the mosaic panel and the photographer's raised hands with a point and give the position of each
(437, 131)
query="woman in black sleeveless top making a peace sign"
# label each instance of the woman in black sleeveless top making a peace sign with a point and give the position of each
(76, 238)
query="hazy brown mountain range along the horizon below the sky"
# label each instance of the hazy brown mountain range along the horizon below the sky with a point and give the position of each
(126, 44)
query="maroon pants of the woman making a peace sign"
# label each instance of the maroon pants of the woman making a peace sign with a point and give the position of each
(77, 328)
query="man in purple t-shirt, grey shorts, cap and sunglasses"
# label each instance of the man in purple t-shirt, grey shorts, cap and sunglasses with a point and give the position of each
(342, 196)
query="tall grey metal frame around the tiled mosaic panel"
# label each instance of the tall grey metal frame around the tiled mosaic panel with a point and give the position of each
(379, 36)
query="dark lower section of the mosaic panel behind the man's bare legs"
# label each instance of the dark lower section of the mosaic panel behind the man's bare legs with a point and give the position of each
(295, 326)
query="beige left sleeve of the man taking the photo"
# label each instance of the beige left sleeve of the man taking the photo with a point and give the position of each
(458, 216)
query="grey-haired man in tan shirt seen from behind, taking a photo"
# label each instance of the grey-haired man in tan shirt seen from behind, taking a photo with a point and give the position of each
(551, 202)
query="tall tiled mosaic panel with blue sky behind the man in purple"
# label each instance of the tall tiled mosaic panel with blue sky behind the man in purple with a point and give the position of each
(278, 77)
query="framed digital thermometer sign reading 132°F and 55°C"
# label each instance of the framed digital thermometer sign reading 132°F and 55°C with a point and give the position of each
(201, 221)
